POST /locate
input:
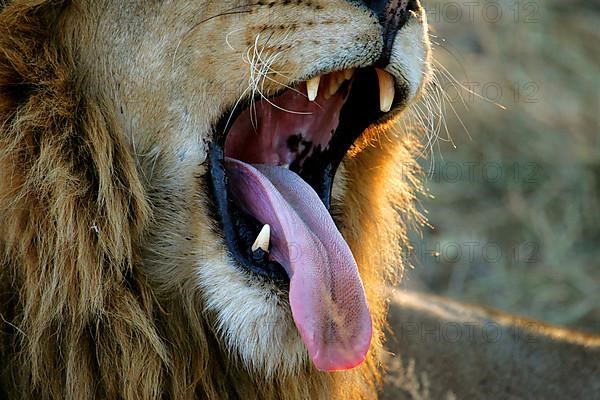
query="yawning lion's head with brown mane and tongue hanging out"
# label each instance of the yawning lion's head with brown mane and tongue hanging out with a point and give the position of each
(197, 198)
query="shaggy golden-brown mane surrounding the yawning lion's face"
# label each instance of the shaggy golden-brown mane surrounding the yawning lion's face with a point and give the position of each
(80, 316)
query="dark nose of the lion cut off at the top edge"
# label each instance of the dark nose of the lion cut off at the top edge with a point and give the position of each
(393, 14)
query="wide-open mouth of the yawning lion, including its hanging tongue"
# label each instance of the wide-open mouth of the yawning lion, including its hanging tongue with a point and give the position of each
(272, 168)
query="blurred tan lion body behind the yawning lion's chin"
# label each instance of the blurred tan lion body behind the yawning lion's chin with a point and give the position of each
(444, 349)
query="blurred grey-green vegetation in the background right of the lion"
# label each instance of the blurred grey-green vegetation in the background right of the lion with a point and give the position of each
(514, 179)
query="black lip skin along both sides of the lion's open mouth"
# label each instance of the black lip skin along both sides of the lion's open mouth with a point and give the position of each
(360, 111)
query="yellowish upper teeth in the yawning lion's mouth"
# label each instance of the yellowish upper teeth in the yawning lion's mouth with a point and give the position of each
(335, 80)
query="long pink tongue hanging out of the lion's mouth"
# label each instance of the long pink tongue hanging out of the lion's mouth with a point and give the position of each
(326, 294)
